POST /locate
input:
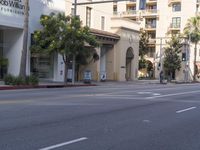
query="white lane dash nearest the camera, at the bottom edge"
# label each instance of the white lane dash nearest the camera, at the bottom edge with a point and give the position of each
(64, 144)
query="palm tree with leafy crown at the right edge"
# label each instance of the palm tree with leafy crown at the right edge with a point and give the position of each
(192, 31)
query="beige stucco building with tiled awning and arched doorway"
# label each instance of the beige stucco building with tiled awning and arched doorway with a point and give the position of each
(119, 38)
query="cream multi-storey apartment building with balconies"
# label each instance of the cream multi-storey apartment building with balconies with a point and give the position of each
(161, 19)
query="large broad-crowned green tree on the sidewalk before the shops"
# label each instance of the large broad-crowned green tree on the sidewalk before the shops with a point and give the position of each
(64, 35)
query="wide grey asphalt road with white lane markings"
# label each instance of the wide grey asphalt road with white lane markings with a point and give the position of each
(114, 116)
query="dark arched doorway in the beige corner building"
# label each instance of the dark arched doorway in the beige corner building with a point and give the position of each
(129, 58)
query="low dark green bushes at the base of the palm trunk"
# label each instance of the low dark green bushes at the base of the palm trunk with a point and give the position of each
(29, 80)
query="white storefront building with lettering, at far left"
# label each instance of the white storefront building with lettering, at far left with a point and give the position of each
(11, 33)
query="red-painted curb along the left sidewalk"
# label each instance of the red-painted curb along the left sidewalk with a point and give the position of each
(42, 86)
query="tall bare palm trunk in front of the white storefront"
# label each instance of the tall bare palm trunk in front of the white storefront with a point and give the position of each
(22, 72)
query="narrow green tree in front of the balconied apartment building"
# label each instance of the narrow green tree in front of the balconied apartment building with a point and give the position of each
(172, 60)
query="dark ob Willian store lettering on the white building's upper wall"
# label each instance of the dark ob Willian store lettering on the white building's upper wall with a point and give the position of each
(12, 7)
